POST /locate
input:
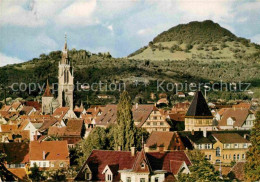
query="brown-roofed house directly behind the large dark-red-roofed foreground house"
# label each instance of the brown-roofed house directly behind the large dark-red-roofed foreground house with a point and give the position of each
(164, 141)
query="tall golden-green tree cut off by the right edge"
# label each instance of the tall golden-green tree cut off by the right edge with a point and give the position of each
(252, 166)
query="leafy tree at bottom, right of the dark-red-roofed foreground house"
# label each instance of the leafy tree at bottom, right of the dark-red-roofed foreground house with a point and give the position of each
(201, 169)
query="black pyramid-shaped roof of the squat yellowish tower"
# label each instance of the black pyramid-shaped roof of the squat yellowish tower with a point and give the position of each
(199, 107)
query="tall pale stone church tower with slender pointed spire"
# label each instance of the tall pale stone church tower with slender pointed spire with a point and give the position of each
(66, 80)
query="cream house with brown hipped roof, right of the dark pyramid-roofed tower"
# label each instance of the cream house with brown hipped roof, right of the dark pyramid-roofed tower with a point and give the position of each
(237, 118)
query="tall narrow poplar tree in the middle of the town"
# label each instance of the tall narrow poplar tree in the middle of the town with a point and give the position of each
(125, 135)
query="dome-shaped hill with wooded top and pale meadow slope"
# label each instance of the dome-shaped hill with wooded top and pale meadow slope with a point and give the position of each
(196, 40)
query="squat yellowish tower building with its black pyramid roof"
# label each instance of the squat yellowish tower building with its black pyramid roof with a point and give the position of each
(198, 116)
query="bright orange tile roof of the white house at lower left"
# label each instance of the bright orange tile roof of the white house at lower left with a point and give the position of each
(54, 150)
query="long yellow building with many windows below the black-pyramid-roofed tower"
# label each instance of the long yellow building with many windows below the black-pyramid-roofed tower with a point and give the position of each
(220, 146)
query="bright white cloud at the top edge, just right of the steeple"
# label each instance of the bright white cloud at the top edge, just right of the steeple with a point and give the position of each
(79, 13)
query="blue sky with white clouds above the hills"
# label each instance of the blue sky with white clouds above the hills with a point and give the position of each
(29, 28)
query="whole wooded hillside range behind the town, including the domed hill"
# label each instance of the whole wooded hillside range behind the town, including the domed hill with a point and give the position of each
(222, 57)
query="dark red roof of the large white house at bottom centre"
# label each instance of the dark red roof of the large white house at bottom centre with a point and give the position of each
(99, 159)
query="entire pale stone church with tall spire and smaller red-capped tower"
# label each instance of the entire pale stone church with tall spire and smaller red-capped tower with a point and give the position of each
(65, 86)
